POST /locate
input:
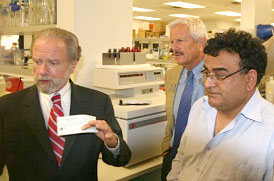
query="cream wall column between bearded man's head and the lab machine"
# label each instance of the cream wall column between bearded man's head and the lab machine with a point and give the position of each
(99, 25)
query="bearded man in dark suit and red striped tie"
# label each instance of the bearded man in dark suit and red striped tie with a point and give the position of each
(25, 145)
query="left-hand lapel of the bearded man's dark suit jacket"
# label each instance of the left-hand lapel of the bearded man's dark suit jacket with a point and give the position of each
(35, 120)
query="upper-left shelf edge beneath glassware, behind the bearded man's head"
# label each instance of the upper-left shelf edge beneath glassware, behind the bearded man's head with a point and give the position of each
(28, 30)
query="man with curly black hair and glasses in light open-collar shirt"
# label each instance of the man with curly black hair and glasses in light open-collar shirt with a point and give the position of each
(230, 132)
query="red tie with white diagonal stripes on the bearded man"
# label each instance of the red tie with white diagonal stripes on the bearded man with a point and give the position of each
(57, 142)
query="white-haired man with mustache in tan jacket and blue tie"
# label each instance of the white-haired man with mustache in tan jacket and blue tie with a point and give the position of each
(183, 85)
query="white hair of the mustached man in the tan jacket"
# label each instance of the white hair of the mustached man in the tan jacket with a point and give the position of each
(196, 27)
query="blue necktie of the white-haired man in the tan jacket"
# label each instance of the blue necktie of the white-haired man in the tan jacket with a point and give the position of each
(183, 111)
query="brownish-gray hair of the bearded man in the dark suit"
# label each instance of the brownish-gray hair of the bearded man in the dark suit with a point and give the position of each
(71, 41)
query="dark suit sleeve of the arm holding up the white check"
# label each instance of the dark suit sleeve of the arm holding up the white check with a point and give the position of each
(125, 152)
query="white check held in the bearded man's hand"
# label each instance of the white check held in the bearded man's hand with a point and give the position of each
(67, 125)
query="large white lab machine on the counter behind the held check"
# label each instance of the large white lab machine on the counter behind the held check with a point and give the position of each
(138, 104)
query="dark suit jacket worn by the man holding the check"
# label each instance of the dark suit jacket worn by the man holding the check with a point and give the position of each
(25, 147)
